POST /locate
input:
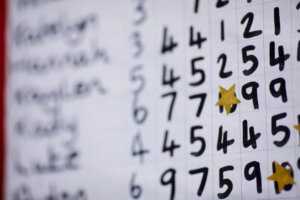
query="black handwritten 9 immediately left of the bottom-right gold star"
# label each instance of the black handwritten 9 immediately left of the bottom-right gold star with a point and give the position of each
(255, 174)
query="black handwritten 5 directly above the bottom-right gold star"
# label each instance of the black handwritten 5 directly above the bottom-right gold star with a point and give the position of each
(280, 128)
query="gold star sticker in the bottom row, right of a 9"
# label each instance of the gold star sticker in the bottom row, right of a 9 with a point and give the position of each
(281, 176)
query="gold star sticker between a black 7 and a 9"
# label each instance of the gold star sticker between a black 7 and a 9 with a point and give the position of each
(227, 98)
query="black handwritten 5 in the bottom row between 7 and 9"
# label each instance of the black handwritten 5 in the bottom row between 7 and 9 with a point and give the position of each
(225, 181)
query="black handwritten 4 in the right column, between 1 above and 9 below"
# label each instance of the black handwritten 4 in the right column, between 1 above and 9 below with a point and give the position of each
(281, 56)
